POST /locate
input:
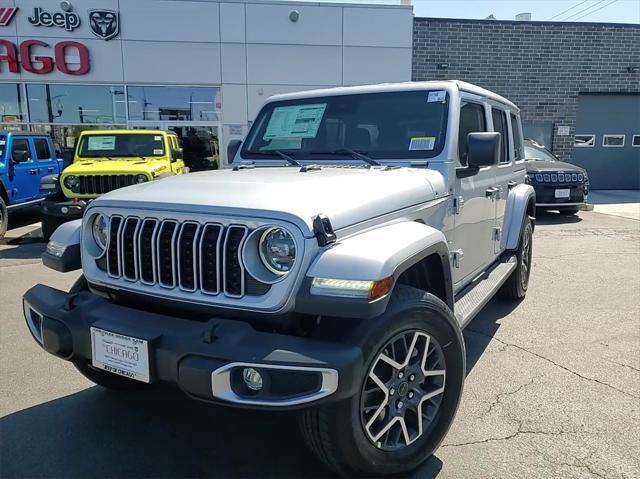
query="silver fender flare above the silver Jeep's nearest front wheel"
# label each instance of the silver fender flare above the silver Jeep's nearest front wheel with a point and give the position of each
(369, 256)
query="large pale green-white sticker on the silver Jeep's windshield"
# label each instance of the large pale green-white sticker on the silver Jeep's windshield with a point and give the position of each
(299, 121)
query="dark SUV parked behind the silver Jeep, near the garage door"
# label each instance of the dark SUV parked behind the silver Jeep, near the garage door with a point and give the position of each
(559, 186)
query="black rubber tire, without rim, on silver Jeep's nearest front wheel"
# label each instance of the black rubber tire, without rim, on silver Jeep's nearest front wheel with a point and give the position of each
(336, 433)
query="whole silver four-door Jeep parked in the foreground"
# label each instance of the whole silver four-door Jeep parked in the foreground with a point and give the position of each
(331, 270)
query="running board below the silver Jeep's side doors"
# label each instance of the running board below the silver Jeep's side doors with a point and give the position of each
(473, 300)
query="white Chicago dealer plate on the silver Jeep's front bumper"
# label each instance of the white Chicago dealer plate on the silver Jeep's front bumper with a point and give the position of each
(120, 354)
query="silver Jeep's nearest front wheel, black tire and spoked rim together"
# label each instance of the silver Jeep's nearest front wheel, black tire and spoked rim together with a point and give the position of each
(414, 374)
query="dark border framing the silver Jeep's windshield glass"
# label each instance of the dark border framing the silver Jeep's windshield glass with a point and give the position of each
(308, 155)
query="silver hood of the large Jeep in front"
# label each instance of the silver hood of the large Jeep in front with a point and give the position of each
(346, 195)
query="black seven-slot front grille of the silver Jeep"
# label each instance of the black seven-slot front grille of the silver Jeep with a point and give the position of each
(185, 255)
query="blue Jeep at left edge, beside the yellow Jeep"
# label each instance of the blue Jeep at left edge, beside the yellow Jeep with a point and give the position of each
(25, 158)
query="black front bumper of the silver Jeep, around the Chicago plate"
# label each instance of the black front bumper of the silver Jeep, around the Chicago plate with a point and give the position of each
(200, 358)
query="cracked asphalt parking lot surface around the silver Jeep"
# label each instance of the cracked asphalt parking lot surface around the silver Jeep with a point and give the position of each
(553, 386)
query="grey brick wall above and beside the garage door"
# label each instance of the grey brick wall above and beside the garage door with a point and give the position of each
(540, 66)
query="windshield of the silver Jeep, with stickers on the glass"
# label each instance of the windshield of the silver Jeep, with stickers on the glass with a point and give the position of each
(390, 125)
